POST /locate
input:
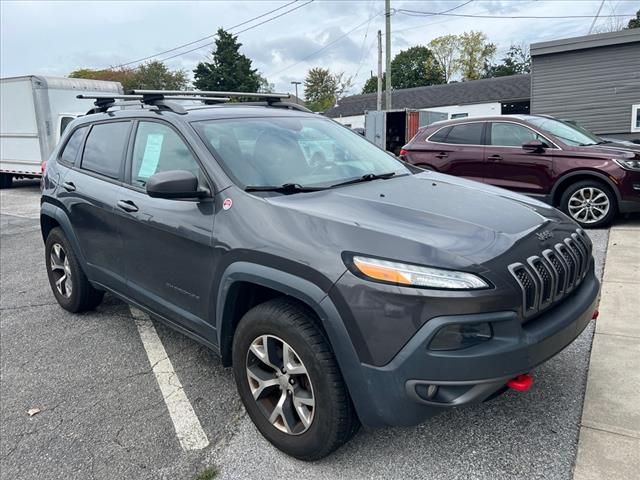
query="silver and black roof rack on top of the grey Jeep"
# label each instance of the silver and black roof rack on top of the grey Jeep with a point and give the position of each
(162, 99)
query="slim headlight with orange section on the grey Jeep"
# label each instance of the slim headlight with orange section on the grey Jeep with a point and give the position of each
(415, 275)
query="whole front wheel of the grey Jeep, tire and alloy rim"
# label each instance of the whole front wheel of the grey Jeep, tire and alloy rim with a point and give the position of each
(289, 381)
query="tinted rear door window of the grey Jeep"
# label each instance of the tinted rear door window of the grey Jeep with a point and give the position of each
(105, 148)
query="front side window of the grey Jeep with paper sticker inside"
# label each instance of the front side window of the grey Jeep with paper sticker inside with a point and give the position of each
(158, 148)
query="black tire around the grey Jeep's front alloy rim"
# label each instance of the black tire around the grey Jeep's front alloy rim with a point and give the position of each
(334, 420)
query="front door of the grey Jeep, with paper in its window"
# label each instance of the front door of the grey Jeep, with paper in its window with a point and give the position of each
(167, 242)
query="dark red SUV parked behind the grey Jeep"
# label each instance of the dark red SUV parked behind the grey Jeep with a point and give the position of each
(588, 178)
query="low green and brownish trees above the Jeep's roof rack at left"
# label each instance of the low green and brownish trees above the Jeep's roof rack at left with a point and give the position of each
(150, 76)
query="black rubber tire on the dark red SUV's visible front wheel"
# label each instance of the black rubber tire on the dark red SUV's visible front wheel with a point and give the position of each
(598, 188)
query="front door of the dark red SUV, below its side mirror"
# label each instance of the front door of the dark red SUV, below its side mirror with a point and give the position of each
(510, 166)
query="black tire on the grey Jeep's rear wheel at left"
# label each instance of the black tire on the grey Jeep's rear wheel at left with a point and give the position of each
(82, 295)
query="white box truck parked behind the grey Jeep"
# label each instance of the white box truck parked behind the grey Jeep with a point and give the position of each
(34, 111)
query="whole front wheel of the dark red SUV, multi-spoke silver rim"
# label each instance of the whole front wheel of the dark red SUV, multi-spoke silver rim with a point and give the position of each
(590, 203)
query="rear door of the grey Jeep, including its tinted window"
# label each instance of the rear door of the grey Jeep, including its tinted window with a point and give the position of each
(89, 192)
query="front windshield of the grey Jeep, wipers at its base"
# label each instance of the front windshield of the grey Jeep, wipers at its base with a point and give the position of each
(303, 151)
